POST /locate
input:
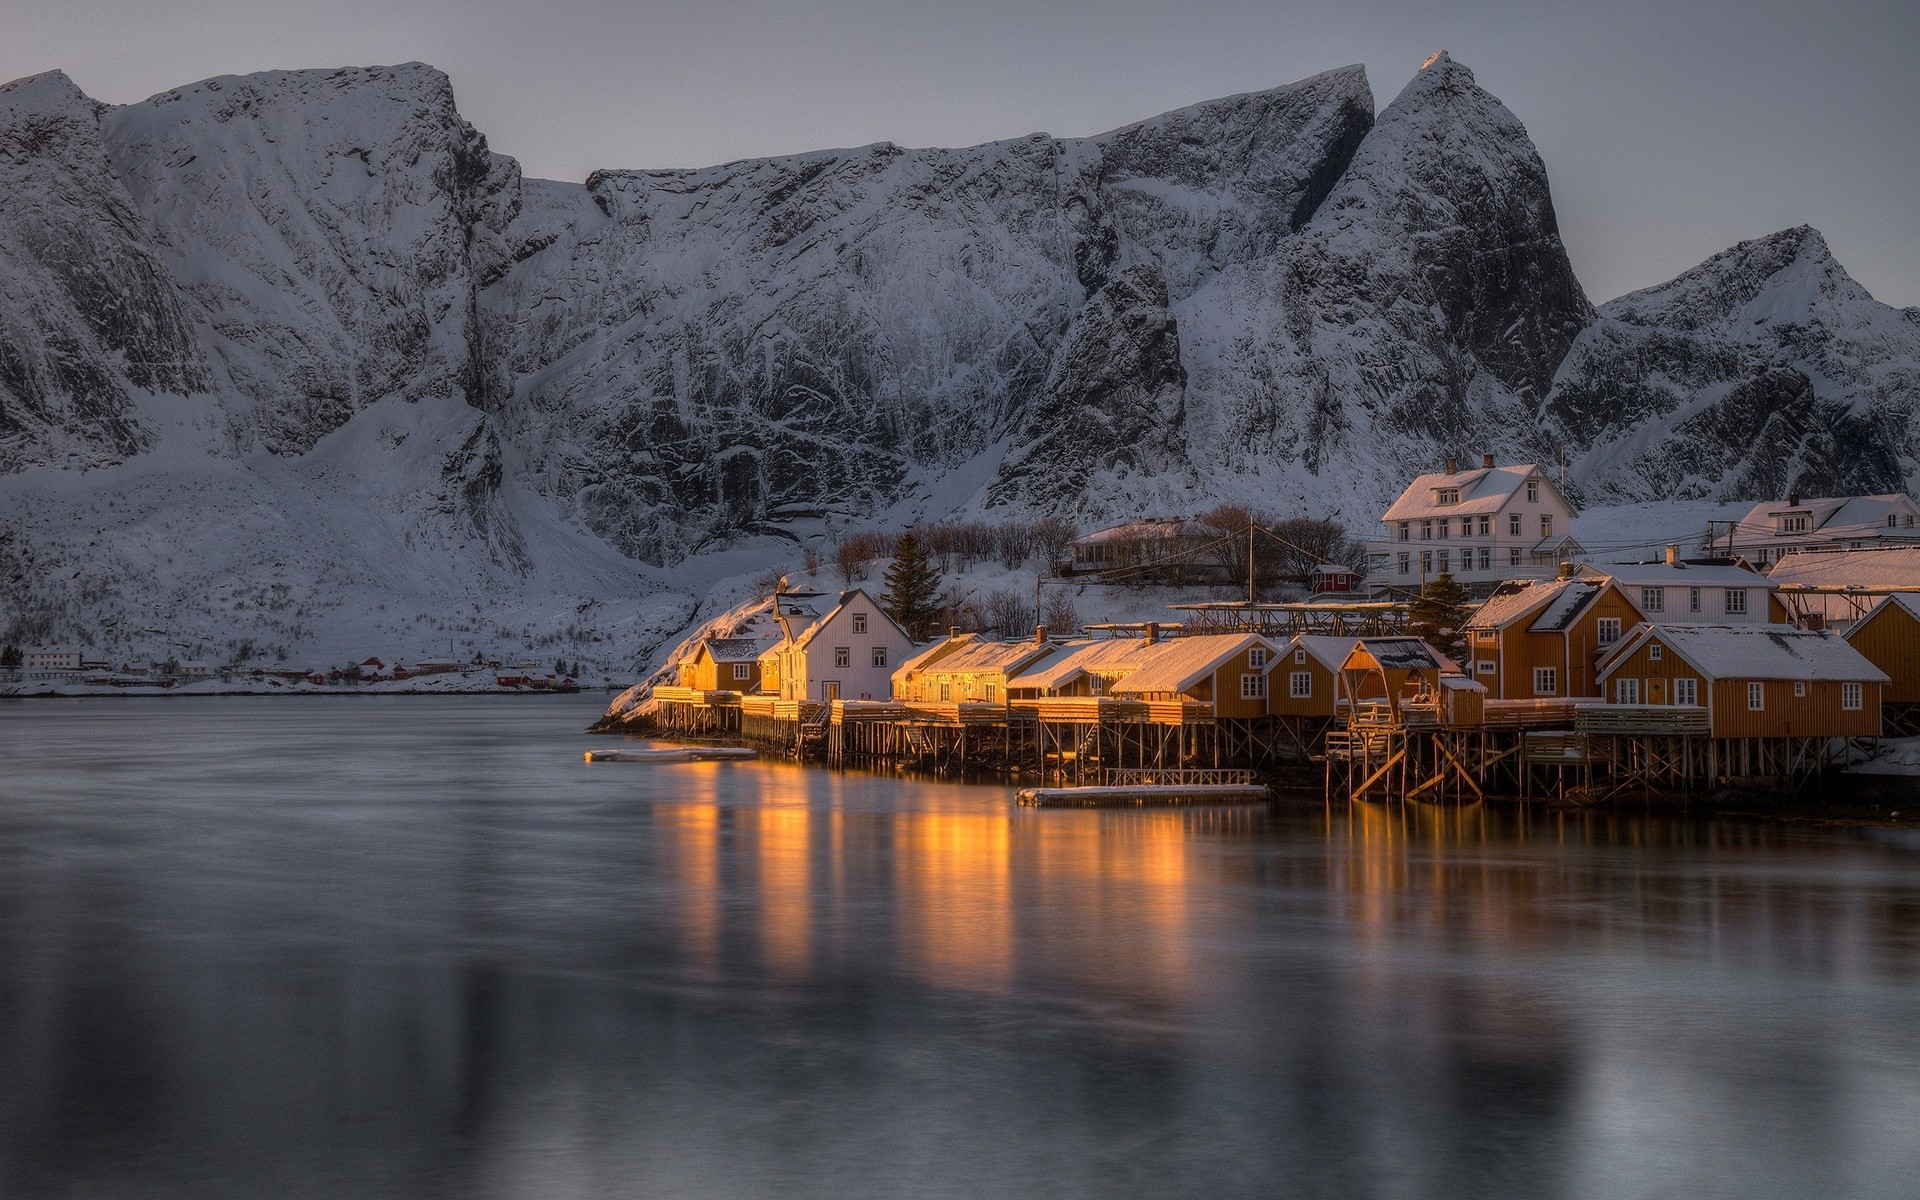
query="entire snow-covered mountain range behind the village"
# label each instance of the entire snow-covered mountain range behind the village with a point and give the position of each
(304, 337)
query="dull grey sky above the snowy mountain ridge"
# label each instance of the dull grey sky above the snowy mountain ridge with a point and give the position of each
(1671, 130)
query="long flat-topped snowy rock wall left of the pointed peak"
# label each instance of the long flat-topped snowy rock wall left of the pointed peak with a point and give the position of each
(769, 341)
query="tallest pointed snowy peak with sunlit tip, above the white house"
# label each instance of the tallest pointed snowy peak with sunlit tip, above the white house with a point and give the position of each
(1422, 310)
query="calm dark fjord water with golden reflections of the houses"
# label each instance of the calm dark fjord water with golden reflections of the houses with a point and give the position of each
(418, 948)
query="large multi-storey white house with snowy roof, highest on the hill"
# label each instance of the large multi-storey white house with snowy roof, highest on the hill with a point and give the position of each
(1483, 527)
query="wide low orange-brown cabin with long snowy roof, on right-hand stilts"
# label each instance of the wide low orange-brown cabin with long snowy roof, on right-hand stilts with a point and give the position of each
(1752, 681)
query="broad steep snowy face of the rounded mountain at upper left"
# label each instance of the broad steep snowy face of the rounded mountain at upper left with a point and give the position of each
(327, 228)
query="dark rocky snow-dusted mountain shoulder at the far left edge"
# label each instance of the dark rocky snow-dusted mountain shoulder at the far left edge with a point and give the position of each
(89, 316)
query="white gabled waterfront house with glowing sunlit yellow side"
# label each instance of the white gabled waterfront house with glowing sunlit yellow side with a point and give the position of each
(850, 654)
